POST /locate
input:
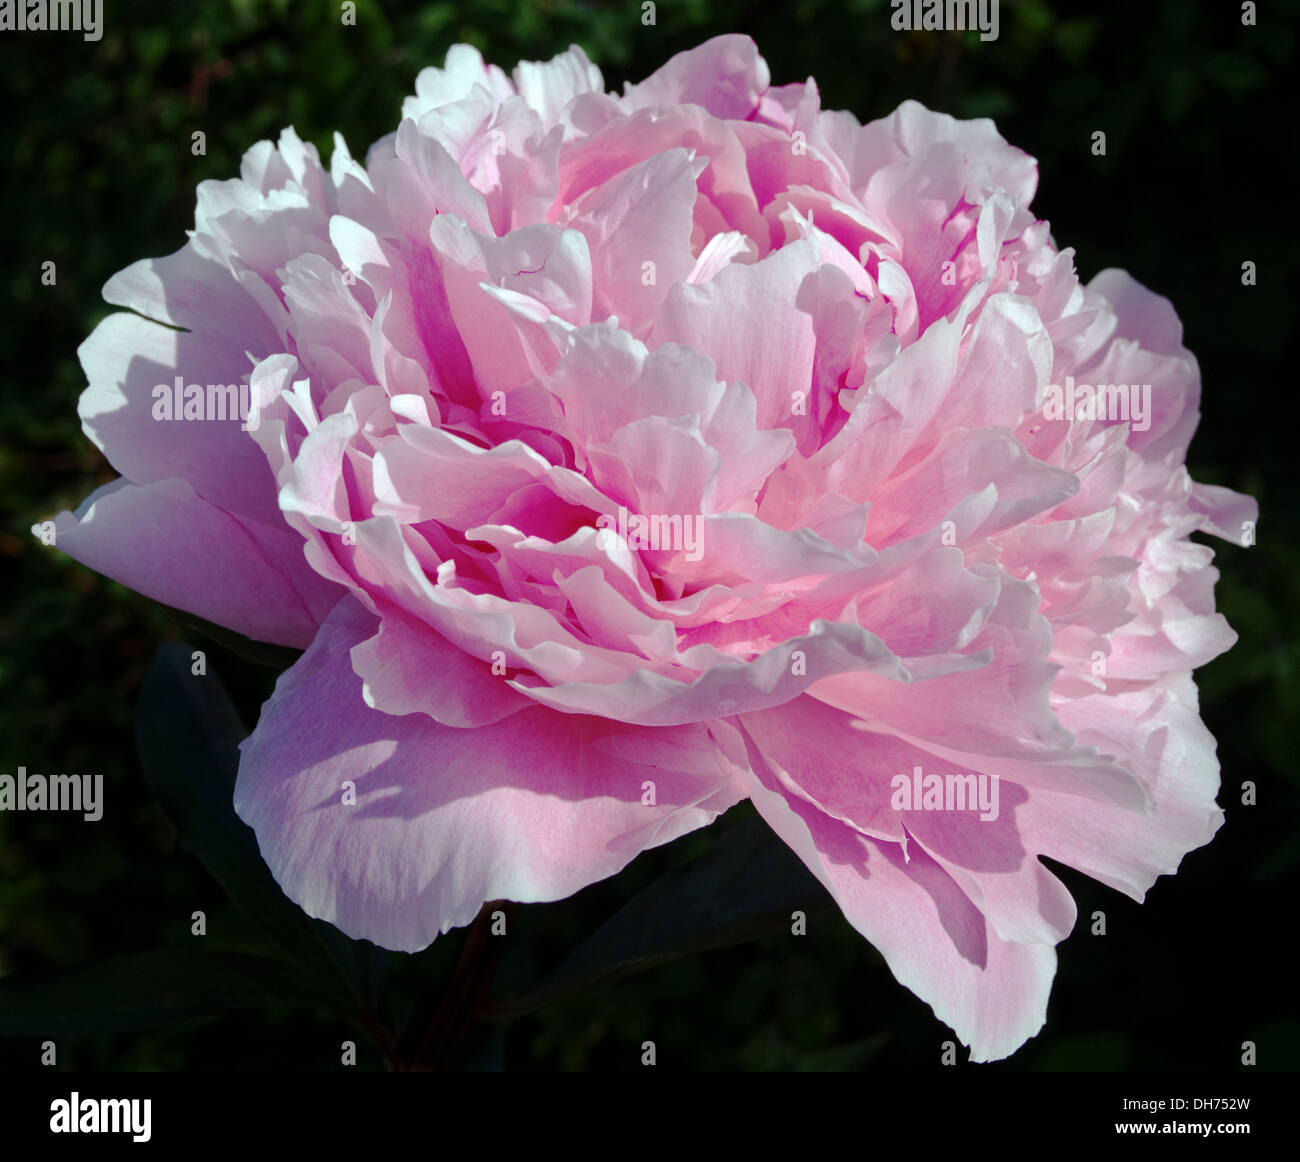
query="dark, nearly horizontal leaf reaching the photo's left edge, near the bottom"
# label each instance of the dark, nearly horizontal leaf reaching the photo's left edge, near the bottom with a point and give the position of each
(146, 990)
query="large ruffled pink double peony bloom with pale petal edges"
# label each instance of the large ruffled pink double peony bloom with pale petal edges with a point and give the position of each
(621, 458)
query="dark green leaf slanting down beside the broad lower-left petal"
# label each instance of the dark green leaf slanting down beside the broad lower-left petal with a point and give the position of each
(189, 735)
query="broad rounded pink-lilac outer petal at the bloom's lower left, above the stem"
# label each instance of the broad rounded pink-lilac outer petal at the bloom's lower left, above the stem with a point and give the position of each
(532, 808)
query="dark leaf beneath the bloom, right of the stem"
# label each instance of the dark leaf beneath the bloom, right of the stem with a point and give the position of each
(743, 888)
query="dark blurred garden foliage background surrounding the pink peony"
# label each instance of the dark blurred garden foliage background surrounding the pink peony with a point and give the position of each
(1199, 177)
